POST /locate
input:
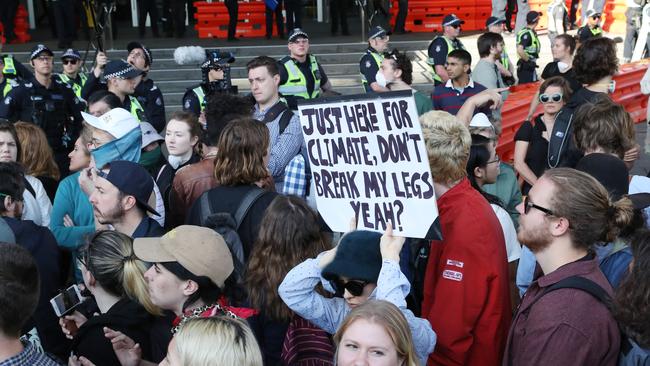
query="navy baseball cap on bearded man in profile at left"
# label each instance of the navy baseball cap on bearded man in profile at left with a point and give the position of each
(131, 179)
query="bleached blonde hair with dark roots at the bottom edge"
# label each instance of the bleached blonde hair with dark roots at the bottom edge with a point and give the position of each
(219, 340)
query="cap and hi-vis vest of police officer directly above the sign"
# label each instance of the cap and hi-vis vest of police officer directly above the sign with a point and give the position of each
(300, 80)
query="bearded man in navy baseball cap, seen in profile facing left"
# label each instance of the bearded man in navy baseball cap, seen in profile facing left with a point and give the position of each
(120, 198)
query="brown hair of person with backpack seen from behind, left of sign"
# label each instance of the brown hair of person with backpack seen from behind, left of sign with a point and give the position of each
(243, 144)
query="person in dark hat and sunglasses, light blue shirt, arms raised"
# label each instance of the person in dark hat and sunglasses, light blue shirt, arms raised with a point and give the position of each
(364, 266)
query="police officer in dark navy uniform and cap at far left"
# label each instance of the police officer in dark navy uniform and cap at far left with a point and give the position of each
(48, 102)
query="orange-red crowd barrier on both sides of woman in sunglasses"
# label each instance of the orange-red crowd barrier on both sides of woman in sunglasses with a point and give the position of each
(515, 109)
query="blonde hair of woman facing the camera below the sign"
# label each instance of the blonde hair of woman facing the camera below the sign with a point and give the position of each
(390, 317)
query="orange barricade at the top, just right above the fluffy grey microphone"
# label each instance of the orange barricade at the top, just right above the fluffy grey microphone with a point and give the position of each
(212, 19)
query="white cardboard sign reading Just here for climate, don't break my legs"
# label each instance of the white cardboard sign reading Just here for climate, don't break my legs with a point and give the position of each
(368, 160)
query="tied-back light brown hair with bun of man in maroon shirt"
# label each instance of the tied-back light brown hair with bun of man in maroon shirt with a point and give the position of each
(593, 216)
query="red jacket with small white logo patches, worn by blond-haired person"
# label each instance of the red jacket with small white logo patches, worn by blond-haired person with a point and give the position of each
(466, 292)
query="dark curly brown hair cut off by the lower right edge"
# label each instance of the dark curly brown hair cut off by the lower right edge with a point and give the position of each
(632, 299)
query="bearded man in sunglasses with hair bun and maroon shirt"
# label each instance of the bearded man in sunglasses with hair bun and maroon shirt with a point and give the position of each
(558, 321)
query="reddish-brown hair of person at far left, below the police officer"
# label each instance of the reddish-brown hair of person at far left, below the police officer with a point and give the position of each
(37, 156)
